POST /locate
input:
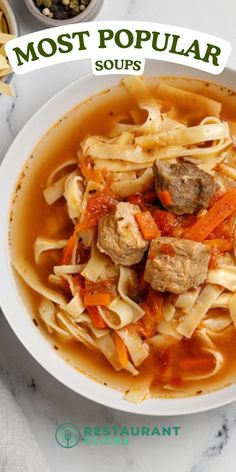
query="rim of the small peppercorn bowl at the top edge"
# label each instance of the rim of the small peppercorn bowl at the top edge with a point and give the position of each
(88, 14)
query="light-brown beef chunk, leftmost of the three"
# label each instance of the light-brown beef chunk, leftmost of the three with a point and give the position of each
(119, 236)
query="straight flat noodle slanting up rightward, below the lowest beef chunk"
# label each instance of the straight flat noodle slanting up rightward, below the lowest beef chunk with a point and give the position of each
(203, 303)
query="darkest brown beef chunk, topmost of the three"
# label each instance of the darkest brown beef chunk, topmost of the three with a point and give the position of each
(190, 188)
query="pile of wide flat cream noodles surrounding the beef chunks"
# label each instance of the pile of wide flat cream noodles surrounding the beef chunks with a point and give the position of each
(114, 168)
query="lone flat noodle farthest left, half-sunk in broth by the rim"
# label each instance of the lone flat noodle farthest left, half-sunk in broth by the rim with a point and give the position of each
(31, 278)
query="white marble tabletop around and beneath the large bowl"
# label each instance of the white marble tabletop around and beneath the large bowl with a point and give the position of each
(206, 442)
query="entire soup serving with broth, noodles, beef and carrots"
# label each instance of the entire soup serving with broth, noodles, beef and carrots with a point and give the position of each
(121, 239)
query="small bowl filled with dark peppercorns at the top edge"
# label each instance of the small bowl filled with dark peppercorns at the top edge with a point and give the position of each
(59, 12)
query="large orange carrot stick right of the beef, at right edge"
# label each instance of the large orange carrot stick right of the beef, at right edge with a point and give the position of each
(217, 213)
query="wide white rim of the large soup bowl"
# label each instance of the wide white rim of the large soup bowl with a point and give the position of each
(10, 298)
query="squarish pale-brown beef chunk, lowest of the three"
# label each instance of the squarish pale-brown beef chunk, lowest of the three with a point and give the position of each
(176, 265)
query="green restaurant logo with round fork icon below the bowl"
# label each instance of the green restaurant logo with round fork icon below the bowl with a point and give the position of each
(69, 435)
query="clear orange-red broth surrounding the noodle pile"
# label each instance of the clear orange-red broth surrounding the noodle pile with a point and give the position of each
(32, 217)
